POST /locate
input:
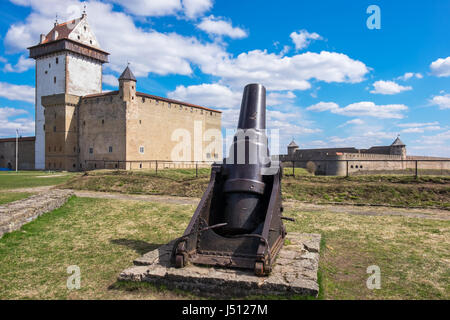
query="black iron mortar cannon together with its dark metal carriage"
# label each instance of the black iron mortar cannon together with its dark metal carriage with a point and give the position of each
(238, 222)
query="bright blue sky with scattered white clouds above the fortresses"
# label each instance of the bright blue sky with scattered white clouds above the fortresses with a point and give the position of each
(331, 80)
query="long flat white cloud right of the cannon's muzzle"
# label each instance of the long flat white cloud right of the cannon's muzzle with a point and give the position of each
(363, 108)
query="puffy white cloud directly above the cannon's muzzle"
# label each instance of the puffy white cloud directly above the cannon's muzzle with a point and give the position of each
(278, 72)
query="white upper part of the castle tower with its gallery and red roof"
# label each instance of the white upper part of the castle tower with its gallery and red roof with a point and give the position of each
(68, 60)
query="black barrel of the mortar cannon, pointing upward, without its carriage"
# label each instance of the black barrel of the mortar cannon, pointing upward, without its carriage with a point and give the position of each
(244, 186)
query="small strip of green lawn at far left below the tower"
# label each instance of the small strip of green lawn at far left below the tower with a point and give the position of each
(28, 179)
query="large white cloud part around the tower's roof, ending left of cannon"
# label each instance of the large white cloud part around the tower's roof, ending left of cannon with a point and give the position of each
(148, 50)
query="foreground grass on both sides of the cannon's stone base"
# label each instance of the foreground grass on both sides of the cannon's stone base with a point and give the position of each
(103, 236)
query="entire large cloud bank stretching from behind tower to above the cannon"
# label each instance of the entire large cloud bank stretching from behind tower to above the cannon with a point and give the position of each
(151, 51)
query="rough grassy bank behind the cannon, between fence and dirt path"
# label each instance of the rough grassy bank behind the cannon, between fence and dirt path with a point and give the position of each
(426, 191)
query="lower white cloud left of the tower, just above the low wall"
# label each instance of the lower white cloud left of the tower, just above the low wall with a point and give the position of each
(8, 125)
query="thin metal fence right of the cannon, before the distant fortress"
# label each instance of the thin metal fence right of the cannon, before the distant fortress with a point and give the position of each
(415, 167)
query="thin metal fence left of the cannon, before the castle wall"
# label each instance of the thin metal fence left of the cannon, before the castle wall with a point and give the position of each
(156, 165)
